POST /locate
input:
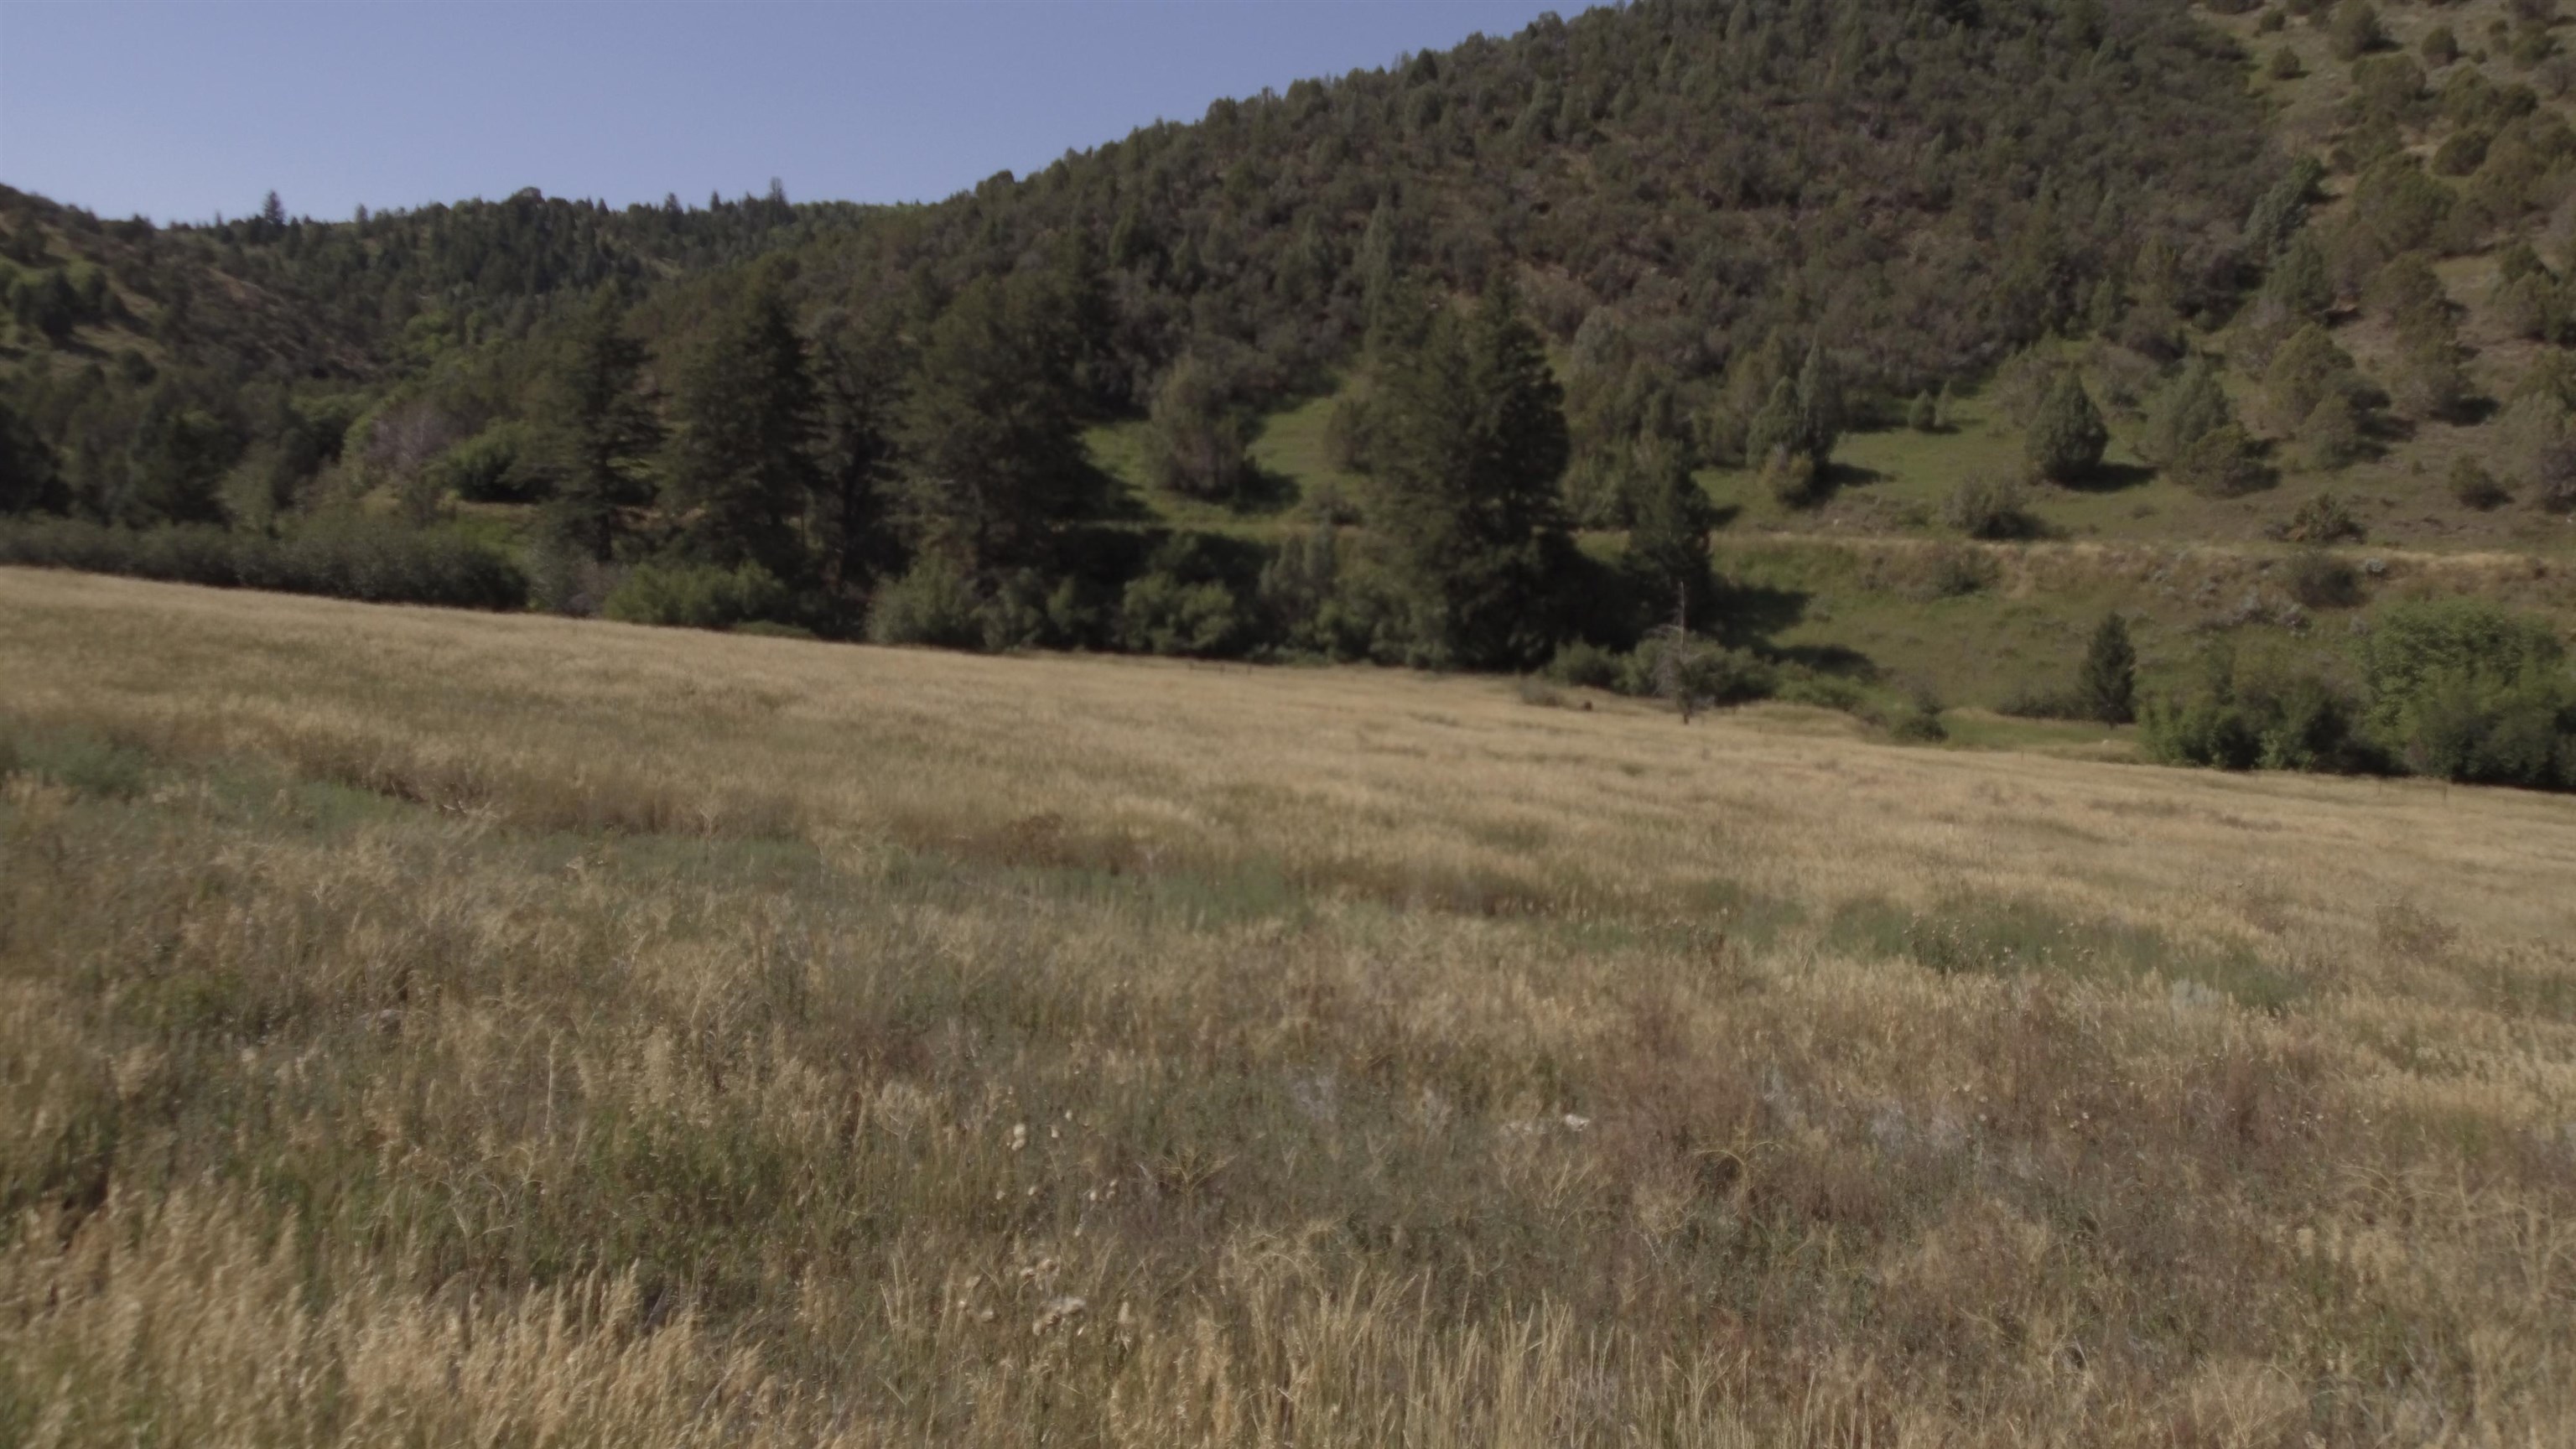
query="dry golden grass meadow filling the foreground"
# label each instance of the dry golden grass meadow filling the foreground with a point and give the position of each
(429, 1027)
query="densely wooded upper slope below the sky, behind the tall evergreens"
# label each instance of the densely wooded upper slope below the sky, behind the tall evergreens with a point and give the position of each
(1673, 182)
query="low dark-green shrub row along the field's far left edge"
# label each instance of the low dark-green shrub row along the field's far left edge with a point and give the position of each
(344, 558)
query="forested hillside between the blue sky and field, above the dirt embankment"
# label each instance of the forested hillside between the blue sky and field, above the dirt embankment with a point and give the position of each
(1454, 362)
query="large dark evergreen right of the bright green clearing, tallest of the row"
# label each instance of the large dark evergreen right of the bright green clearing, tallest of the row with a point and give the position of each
(1472, 445)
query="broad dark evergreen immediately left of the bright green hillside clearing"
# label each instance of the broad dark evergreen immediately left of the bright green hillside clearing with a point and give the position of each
(990, 432)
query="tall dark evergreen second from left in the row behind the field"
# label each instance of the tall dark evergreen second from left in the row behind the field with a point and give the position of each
(741, 473)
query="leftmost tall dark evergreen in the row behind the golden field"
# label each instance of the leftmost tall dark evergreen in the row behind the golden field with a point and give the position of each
(599, 432)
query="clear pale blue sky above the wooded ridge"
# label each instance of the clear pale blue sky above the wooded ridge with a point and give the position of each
(200, 107)
